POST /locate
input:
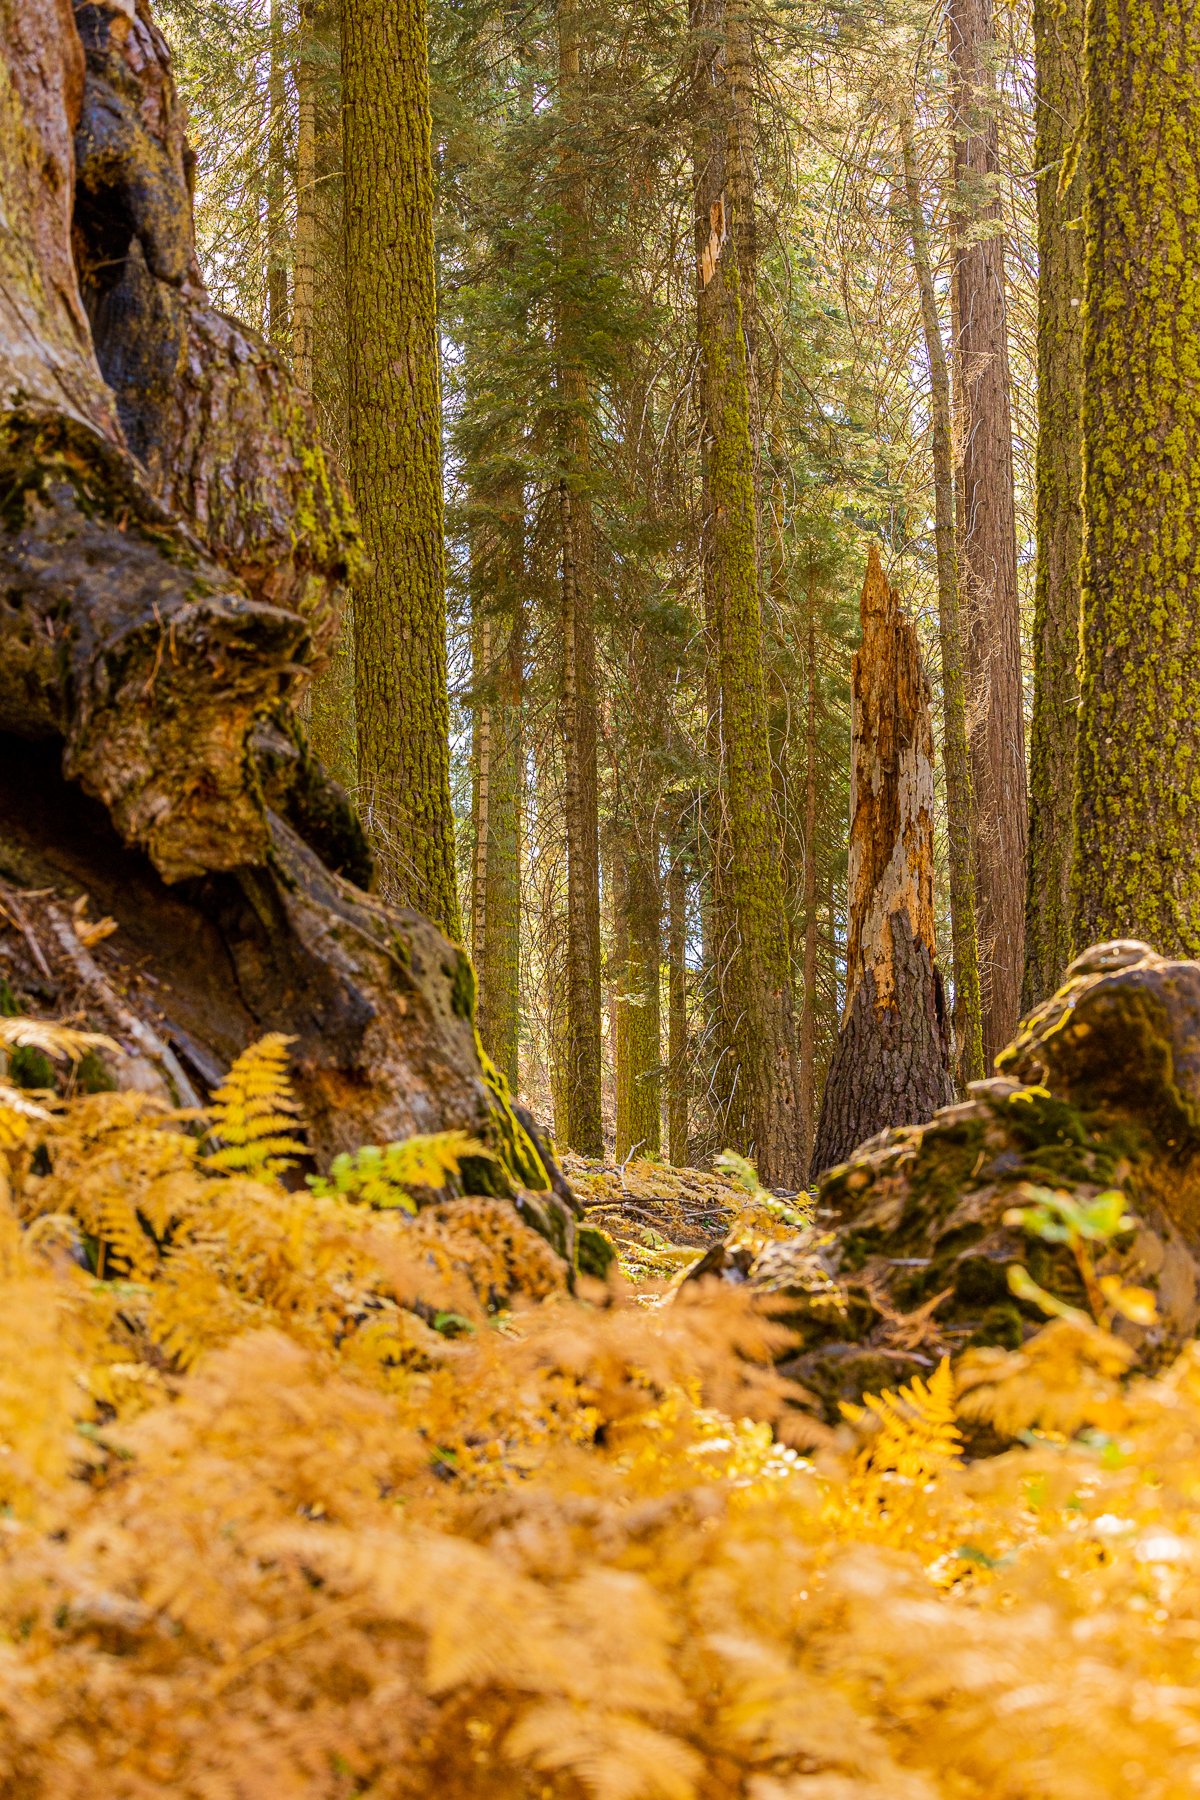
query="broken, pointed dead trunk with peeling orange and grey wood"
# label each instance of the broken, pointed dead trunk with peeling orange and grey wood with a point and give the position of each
(891, 1065)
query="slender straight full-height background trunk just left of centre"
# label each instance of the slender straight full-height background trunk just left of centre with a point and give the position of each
(580, 703)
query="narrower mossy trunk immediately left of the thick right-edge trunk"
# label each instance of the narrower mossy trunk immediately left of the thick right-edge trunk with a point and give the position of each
(1059, 35)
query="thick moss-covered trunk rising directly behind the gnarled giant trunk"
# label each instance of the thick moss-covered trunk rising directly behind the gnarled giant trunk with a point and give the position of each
(395, 454)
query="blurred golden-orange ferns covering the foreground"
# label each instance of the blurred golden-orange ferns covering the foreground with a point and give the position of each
(316, 1498)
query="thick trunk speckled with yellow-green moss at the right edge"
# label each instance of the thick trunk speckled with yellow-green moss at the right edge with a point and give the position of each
(1138, 829)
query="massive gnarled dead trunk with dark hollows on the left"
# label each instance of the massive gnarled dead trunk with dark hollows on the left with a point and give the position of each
(172, 546)
